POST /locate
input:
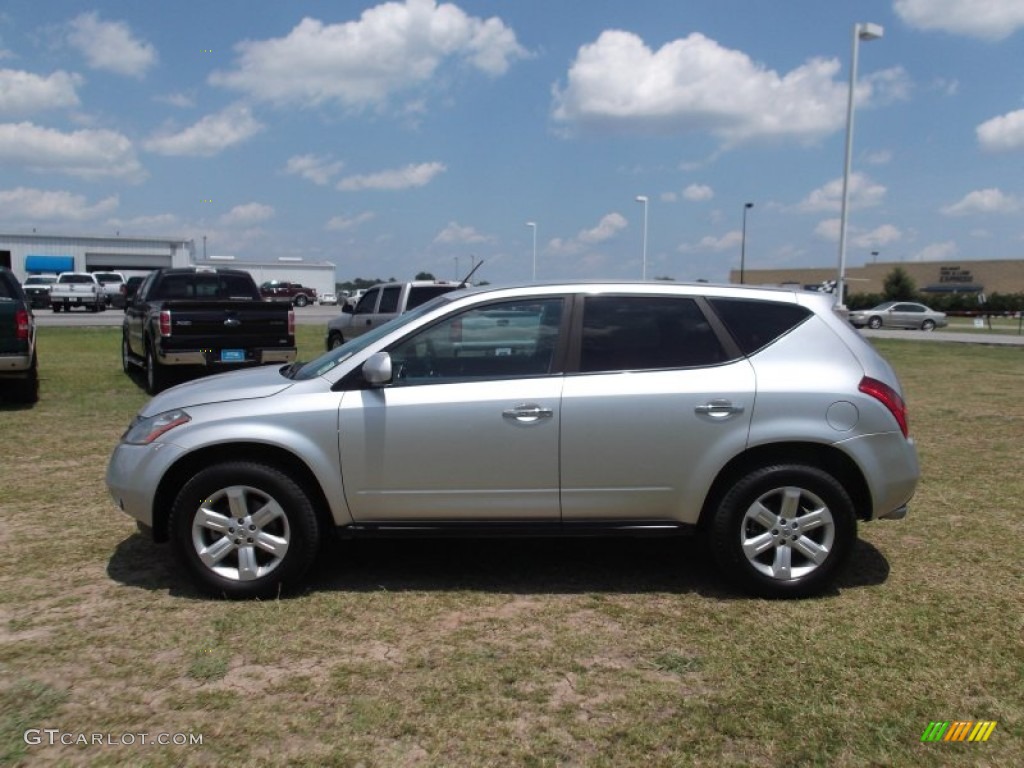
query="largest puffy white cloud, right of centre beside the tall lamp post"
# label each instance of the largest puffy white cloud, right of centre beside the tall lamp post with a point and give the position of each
(697, 86)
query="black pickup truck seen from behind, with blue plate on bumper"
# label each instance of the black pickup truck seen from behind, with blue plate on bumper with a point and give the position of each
(206, 321)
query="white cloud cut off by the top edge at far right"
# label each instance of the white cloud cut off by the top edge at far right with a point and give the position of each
(988, 20)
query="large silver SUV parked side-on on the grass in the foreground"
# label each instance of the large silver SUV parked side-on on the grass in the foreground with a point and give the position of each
(755, 418)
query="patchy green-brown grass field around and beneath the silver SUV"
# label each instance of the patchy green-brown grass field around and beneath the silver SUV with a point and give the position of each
(518, 654)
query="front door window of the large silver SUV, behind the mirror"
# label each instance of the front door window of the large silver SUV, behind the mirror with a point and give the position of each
(497, 342)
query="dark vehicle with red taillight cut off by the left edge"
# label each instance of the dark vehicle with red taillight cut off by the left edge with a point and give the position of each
(19, 367)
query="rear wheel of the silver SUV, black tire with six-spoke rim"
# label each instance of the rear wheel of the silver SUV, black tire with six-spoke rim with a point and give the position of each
(798, 525)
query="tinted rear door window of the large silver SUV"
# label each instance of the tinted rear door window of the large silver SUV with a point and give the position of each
(630, 333)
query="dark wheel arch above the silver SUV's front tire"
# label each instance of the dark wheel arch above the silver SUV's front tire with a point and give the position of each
(187, 466)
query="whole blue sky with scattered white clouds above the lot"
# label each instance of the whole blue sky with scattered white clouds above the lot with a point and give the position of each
(398, 138)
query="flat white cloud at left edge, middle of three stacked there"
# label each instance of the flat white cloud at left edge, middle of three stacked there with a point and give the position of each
(87, 154)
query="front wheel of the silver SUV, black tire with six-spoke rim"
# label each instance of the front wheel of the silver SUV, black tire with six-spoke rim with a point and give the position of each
(279, 521)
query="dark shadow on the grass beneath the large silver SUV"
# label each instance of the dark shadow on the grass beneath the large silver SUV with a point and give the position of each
(520, 566)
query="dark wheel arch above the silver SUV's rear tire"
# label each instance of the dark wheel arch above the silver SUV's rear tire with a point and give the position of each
(827, 458)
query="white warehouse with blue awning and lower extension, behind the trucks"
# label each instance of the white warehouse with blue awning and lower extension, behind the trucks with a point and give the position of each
(51, 254)
